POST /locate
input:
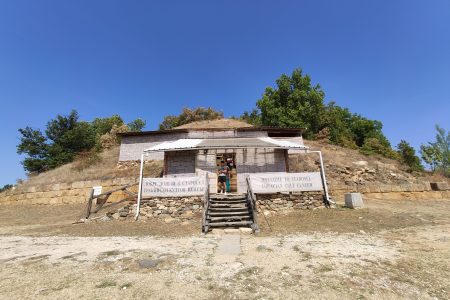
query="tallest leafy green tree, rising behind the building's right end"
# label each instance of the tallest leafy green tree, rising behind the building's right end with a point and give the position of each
(294, 102)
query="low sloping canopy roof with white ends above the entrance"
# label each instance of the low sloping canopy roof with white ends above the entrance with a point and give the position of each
(235, 143)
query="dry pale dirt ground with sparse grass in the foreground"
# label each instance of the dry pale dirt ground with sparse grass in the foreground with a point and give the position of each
(388, 250)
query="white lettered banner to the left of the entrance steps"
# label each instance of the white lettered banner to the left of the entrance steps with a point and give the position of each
(173, 186)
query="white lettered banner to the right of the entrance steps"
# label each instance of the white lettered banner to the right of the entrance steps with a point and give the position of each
(267, 183)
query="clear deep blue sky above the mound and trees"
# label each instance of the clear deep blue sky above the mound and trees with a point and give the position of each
(388, 60)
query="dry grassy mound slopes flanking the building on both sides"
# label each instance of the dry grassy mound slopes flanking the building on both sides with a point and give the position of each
(343, 167)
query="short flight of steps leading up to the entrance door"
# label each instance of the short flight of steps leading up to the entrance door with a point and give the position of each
(230, 210)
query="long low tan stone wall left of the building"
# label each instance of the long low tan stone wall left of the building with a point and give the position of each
(65, 193)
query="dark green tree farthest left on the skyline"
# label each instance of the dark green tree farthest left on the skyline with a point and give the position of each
(33, 144)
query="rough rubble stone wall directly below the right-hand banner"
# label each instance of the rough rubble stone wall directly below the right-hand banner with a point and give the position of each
(282, 201)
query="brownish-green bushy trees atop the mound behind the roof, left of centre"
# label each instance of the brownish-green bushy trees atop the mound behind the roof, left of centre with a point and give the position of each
(188, 116)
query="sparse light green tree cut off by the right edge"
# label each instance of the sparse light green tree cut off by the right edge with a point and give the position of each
(437, 154)
